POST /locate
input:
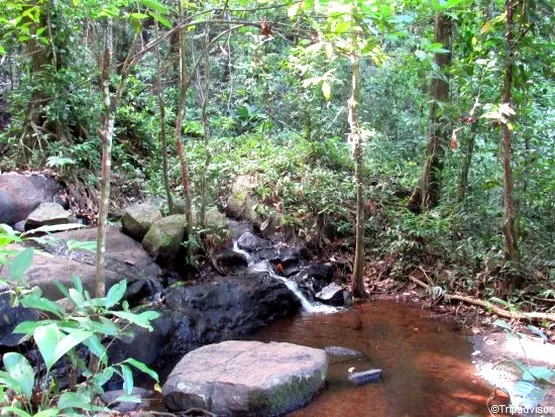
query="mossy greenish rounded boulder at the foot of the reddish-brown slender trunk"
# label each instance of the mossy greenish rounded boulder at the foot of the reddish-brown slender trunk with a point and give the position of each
(163, 240)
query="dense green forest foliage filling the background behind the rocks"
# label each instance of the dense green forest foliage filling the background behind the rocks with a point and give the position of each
(276, 106)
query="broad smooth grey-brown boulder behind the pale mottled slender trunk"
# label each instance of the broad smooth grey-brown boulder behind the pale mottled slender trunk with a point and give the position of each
(125, 258)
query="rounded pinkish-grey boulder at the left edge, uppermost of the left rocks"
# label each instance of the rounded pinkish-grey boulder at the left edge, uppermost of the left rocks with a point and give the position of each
(21, 194)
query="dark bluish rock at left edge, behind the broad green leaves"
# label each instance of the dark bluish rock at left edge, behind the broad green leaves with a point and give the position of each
(10, 317)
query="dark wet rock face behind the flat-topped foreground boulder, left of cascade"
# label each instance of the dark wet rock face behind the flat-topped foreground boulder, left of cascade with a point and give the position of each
(207, 313)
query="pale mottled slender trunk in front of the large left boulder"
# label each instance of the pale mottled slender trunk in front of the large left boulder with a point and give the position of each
(106, 137)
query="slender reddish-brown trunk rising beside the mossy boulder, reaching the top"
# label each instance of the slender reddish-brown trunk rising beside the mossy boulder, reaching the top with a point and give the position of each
(183, 86)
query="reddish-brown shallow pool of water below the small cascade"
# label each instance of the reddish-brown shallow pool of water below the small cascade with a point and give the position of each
(427, 370)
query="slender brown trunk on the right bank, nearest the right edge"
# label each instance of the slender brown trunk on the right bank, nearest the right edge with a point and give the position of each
(509, 221)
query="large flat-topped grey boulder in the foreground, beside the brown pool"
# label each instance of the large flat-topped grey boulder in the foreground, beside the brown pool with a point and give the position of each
(239, 378)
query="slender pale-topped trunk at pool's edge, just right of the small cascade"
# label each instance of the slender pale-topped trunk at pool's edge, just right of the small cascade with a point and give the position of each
(355, 138)
